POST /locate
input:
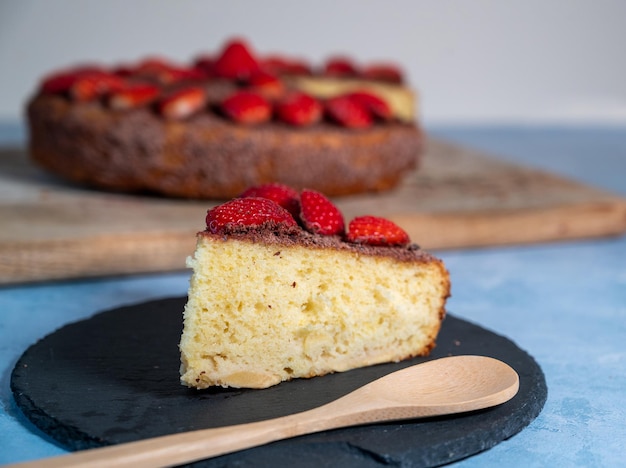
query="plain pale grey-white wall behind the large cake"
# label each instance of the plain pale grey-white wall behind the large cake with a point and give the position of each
(473, 61)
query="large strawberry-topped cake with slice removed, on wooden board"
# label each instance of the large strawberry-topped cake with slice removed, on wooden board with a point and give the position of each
(226, 122)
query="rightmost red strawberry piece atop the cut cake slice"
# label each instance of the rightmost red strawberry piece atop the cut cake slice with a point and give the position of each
(373, 230)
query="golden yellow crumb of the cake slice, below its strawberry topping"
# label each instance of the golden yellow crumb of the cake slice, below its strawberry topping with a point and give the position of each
(259, 314)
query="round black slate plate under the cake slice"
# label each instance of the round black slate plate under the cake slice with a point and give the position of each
(114, 378)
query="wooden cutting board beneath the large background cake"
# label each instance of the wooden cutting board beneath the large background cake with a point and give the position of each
(459, 198)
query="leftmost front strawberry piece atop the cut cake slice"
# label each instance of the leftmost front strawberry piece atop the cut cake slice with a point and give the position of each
(249, 211)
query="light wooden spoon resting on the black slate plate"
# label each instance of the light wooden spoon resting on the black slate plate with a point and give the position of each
(439, 387)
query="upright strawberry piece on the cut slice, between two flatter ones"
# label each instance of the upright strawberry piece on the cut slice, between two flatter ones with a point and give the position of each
(319, 215)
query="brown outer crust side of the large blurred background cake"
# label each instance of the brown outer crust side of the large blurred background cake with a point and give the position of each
(208, 156)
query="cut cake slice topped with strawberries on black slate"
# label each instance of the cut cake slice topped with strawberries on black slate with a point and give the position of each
(281, 289)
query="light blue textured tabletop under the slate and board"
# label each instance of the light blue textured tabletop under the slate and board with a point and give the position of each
(565, 303)
